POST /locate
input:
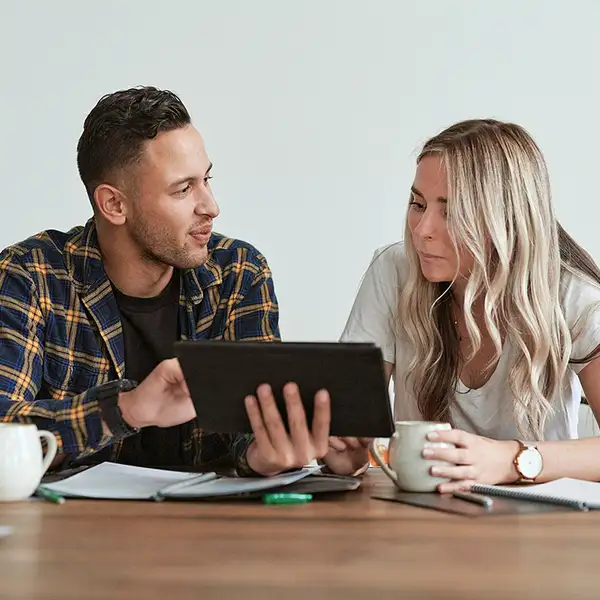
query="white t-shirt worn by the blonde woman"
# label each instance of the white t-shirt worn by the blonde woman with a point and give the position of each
(485, 411)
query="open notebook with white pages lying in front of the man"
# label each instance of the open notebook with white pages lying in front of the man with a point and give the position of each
(112, 481)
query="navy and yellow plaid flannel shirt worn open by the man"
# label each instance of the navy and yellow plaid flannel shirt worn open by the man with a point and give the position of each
(61, 334)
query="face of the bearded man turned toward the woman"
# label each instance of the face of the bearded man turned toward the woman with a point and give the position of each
(171, 211)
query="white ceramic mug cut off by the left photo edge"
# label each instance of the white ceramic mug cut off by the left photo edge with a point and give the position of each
(22, 463)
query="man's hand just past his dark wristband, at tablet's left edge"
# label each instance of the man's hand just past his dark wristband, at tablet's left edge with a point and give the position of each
(162, 399)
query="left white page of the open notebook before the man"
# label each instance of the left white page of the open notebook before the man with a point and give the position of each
(112, 481)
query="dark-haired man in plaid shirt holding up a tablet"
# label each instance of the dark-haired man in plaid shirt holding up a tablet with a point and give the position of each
(88, 318)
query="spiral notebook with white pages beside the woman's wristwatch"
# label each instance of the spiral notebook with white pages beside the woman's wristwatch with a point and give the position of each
(583, 495)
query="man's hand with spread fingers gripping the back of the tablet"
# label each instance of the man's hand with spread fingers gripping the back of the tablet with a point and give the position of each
(274, 449)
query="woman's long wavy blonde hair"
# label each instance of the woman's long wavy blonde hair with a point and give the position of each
(500, 211)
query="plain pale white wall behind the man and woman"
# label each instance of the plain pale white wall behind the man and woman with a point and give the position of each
(312, 111)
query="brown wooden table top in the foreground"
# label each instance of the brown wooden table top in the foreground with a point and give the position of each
(346, 547)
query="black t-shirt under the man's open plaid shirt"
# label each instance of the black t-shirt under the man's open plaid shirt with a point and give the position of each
(150, 328)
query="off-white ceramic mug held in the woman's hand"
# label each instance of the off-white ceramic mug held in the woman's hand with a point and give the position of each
(408, 468)
